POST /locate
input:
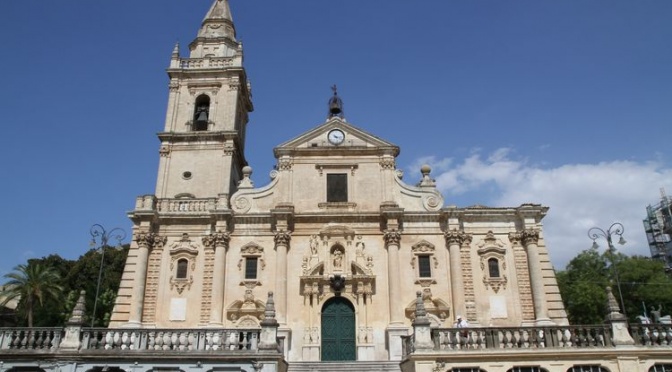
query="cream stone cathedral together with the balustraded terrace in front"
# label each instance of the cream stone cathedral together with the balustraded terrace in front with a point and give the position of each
(338, 262)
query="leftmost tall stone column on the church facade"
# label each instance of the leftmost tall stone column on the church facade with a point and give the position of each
(144, 241)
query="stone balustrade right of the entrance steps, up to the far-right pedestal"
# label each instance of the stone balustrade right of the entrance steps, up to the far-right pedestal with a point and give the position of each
(542, 337)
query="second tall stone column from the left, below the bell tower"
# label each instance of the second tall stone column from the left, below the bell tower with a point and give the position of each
(219, 241)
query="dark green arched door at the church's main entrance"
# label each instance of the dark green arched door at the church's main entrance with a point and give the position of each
(338, 330)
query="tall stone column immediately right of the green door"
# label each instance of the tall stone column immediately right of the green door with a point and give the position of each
(392, 238)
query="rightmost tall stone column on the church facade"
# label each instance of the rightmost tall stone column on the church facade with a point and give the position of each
(530, 238)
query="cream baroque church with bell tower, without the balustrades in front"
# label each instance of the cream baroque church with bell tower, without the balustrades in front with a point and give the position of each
(342, 238)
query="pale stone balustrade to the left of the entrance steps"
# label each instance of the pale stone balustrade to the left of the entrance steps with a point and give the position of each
(186, 340)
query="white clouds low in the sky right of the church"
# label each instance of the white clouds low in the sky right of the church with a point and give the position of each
(580, 196)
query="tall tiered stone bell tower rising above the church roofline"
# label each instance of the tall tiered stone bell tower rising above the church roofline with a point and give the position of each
(202, 144)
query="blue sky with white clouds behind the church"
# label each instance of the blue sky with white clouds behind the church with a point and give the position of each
(564, 103)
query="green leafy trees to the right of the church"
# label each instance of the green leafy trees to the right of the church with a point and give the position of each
(643, 284)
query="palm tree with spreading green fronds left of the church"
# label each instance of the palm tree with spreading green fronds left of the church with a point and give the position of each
(31, 285)
